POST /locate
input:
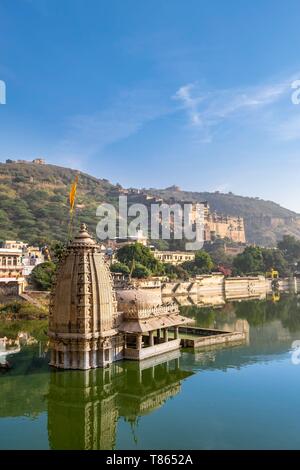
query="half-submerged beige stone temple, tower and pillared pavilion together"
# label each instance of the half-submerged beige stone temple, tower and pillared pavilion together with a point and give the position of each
(91, 326)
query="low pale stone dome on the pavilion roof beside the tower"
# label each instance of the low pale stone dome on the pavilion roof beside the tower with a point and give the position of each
(138, 299)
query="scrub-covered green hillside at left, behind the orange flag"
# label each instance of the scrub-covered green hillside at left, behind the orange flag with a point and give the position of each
(34, 201)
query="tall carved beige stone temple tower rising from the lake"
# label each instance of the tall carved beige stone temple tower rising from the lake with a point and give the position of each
(83, 309)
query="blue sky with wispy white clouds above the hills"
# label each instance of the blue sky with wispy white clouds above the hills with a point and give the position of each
(197, 93)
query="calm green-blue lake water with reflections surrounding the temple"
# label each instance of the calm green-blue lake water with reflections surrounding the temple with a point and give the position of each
(238, 397)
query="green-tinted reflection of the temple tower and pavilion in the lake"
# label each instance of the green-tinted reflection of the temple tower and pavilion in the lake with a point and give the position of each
(84, 406)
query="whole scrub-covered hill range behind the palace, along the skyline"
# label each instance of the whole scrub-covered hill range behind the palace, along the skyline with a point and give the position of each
(34, 204)
